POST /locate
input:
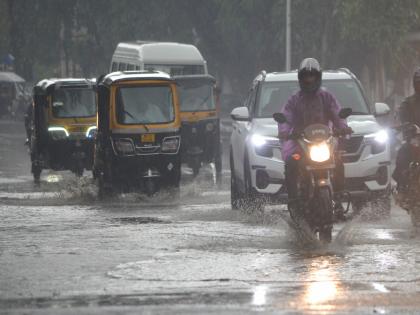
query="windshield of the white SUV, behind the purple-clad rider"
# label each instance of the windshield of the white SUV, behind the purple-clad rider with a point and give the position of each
(274, 95)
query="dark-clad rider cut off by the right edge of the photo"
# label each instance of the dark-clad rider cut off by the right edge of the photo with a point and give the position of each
(409, 113)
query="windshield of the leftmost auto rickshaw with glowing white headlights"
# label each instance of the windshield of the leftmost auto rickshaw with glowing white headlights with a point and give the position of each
(73, 103)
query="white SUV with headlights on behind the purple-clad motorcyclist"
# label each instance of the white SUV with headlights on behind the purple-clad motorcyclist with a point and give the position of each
(257, 169)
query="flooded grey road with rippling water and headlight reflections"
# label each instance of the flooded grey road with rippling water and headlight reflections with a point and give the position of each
(64, 252)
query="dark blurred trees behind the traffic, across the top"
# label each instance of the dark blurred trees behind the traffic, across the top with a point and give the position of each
(239, 38)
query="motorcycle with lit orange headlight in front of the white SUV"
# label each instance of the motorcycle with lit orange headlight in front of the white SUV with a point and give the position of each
(315, 210)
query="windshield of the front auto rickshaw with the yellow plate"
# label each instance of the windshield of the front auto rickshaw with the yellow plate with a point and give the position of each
(144, 105)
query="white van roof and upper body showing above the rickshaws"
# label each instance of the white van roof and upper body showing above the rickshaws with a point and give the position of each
(172, 58)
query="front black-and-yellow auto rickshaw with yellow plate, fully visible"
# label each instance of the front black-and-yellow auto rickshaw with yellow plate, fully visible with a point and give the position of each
(138, 137)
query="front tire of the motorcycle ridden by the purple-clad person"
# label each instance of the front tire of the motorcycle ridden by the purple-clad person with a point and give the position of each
(326, 211)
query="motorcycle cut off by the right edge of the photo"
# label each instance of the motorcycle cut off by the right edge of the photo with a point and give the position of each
(409, 200)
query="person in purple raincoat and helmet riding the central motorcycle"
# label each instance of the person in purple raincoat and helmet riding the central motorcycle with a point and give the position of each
(310, 105)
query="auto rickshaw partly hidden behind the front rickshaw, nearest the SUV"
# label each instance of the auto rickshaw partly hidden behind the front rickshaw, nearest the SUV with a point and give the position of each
(200, 122)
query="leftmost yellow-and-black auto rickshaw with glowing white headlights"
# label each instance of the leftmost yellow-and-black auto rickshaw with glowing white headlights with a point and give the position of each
(63, 126)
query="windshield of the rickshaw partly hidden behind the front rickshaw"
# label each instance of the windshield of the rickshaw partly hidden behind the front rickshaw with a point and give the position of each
(196, 97)
